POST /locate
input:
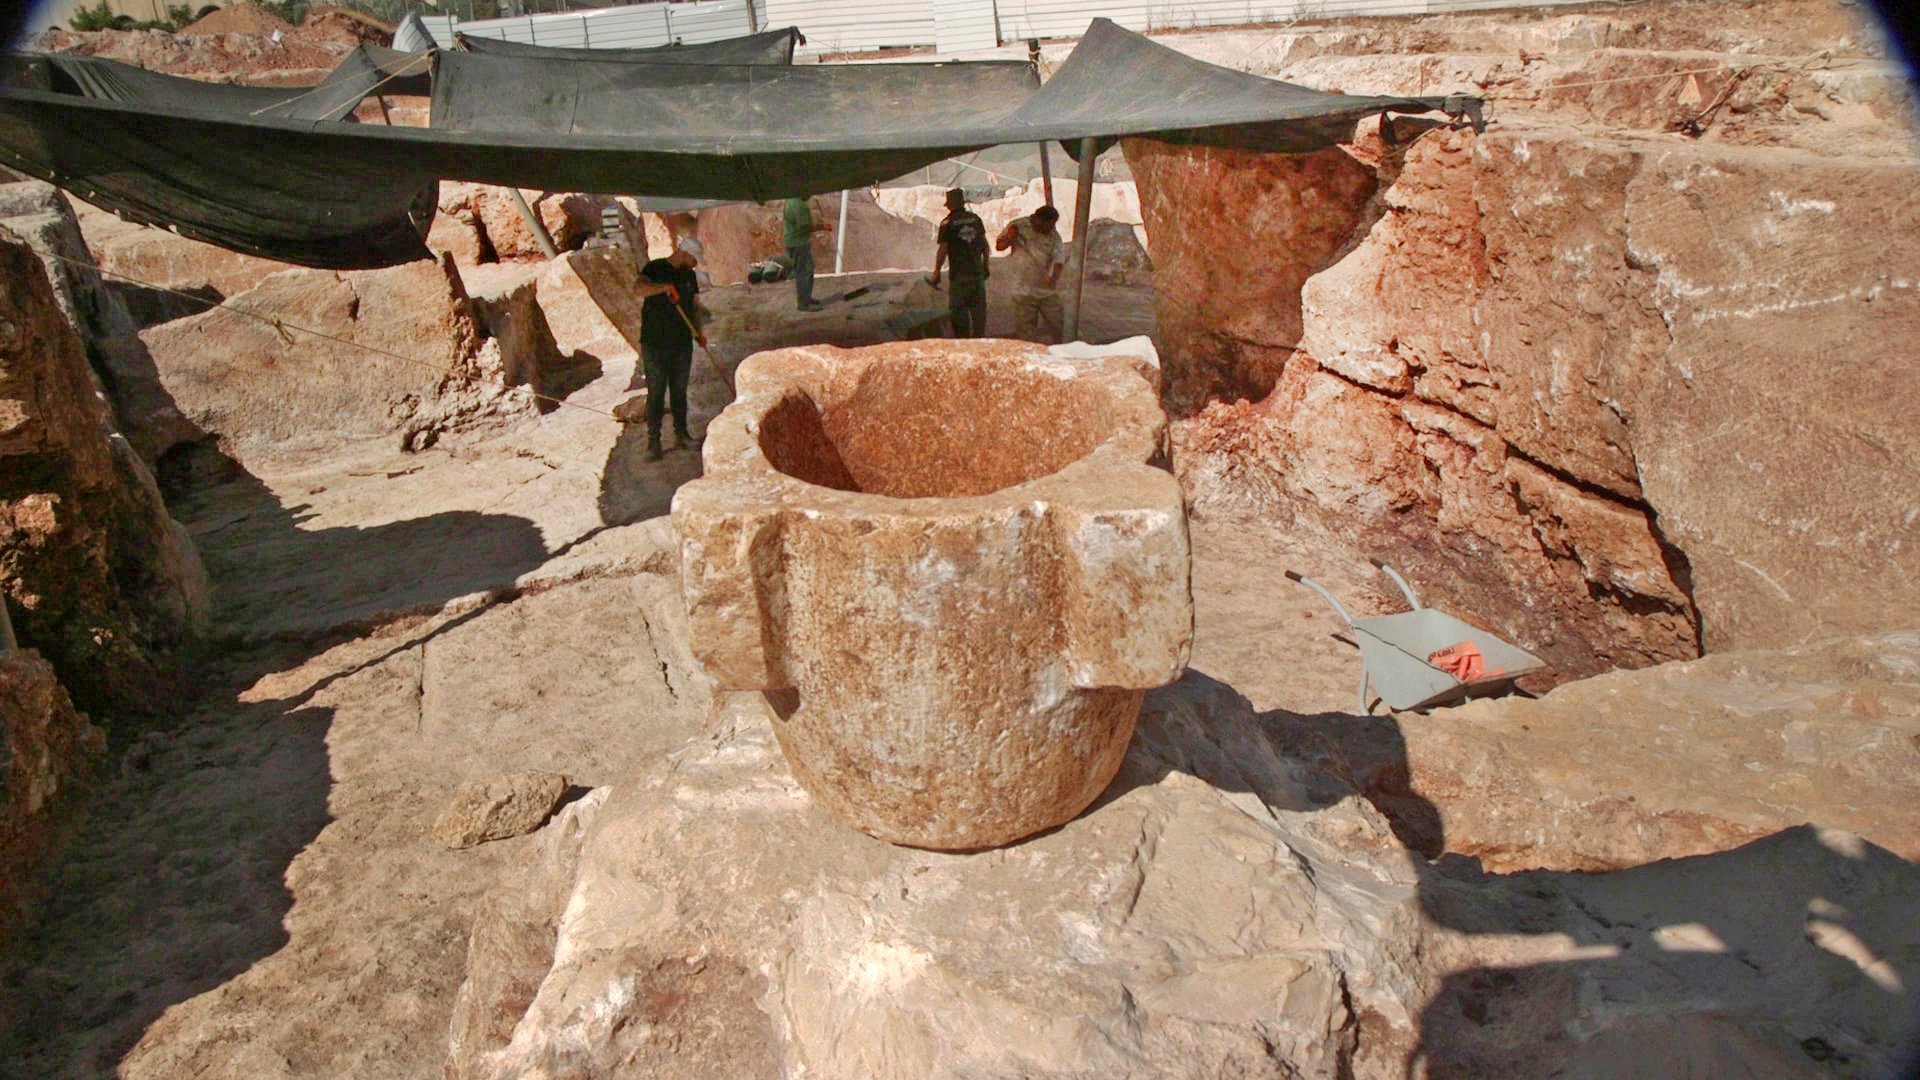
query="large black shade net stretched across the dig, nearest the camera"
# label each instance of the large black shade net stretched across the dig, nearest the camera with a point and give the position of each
(218, 166)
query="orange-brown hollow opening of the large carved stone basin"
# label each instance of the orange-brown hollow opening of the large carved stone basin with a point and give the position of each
(936, 430)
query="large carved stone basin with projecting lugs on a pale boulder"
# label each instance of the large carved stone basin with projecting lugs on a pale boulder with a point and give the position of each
(953, 568)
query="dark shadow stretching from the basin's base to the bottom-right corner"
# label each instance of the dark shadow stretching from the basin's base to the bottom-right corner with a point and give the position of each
(1788, 956)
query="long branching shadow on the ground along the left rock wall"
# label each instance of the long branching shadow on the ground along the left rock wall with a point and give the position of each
(180, 879)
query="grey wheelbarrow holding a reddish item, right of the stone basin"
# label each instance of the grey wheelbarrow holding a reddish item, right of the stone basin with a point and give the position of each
(1395, 649)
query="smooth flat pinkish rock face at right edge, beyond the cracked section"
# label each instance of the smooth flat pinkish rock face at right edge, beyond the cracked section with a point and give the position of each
(1779, 439)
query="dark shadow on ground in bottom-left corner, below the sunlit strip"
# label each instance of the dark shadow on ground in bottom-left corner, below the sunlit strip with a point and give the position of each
(174, 887)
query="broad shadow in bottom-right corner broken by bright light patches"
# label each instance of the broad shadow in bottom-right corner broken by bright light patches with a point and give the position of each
(1788, 956)
